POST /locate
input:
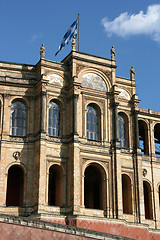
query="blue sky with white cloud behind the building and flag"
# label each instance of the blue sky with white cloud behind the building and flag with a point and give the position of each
(25, 25)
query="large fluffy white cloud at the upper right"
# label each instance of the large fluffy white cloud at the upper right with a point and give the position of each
(141, 23)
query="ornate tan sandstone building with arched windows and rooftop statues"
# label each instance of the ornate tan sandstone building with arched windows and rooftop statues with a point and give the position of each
(75, 147)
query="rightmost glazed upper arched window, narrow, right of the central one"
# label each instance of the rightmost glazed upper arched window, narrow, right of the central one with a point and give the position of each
(122, 131)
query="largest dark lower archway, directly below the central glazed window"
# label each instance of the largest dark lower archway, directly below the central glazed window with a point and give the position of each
(93, 187)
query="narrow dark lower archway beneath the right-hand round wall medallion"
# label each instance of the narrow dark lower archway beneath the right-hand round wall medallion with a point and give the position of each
(147, 200)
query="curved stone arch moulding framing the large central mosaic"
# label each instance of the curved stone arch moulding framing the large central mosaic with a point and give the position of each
(95, 71)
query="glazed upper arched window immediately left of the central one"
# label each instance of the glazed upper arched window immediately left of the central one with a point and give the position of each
(54, 119)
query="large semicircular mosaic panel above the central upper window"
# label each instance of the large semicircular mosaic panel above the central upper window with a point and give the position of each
(94, 81)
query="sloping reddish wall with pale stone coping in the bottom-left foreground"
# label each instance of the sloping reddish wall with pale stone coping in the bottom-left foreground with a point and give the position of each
(19, 228)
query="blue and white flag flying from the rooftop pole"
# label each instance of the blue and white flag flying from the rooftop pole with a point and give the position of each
(72, 31)
